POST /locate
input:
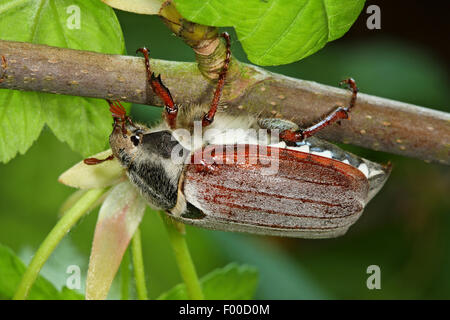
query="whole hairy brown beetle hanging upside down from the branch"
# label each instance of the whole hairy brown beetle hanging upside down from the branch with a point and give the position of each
(317, 190)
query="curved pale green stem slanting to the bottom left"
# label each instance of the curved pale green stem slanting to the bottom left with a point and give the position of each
(53, 238)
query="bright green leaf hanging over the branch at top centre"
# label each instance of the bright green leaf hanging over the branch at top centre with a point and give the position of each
(277, 32)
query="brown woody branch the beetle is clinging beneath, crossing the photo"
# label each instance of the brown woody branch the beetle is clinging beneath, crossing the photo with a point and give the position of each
(376, 123)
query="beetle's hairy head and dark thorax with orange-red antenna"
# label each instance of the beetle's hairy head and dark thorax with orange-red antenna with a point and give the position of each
(146, 154)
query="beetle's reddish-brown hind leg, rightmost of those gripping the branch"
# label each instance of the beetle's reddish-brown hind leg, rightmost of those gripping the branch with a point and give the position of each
(338, 114)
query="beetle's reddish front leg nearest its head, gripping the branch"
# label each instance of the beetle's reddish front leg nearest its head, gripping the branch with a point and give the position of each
(161, 91)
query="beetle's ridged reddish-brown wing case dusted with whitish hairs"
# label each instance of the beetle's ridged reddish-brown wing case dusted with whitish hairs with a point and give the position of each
(306, 196)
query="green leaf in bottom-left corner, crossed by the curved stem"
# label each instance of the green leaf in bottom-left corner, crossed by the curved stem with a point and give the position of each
(11, 271)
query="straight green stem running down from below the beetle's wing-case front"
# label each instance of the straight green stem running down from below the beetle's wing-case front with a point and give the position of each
(183, 258)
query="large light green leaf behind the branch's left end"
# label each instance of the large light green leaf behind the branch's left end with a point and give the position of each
(83, 123)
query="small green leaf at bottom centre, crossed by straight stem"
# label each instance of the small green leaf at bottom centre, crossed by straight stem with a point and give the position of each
(233, 282)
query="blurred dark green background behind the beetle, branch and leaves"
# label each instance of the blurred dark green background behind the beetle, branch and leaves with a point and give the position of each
(404, 230)
